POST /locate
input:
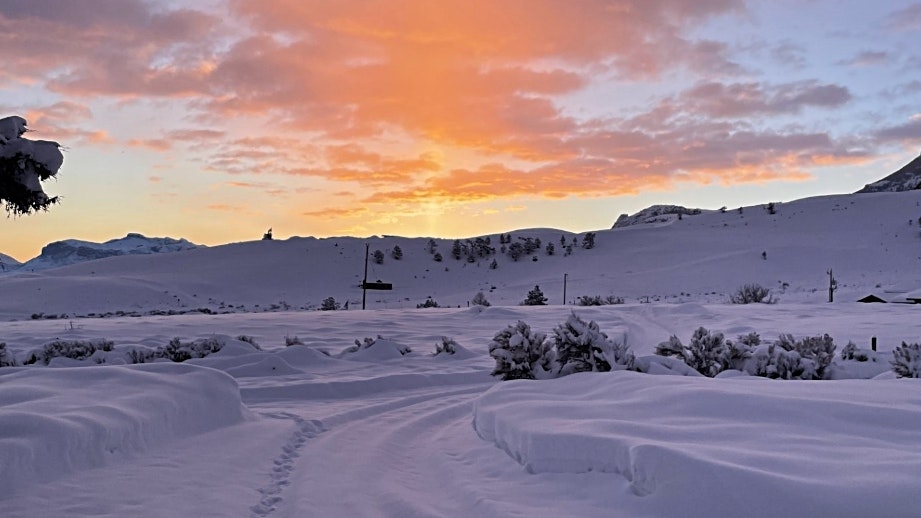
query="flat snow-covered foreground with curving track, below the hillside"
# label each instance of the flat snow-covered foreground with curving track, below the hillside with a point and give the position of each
(390, 434)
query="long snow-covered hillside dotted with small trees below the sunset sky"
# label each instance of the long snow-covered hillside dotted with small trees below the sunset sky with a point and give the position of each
(870, 241)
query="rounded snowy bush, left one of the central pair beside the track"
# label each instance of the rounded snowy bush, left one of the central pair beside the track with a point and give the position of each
(521, 353)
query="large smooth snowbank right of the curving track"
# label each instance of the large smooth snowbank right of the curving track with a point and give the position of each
(832, 448)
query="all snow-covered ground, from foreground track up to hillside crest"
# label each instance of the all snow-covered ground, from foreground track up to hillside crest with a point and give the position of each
(312, 429)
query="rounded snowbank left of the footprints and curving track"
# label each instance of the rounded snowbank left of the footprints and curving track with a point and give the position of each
(58, 421)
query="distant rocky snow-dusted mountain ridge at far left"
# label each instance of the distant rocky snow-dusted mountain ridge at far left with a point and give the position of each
(73, 251)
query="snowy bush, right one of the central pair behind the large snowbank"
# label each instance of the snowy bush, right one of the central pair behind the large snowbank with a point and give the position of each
(582, 346)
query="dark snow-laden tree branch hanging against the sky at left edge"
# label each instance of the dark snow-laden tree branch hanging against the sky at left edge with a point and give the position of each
(24, 164)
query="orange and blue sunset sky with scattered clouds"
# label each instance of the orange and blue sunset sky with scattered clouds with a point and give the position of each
(215, 120)
